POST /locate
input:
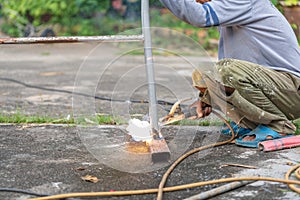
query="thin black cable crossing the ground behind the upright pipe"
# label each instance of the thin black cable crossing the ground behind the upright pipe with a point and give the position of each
(161, 102)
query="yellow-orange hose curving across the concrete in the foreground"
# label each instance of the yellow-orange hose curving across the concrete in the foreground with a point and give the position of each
(291, 183)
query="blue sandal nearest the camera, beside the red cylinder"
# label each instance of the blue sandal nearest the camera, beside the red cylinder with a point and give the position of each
(261, 133)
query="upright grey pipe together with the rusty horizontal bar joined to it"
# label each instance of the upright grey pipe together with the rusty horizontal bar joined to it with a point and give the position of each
(146, 37)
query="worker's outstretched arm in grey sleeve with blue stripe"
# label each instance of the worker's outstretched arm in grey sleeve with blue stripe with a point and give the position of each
(211, 13)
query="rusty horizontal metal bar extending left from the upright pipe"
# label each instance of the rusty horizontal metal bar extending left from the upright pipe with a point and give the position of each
(69, 39)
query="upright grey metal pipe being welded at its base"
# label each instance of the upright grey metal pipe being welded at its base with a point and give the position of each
(149, 66)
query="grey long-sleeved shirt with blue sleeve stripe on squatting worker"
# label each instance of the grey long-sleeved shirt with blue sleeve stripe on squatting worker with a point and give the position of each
(250, 30)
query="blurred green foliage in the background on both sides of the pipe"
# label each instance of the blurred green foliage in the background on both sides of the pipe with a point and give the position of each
(88, 17)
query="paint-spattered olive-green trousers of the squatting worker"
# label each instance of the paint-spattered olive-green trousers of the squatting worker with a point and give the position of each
(260, 95)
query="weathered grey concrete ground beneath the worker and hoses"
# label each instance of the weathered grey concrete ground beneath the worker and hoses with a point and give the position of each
(62, 80)
